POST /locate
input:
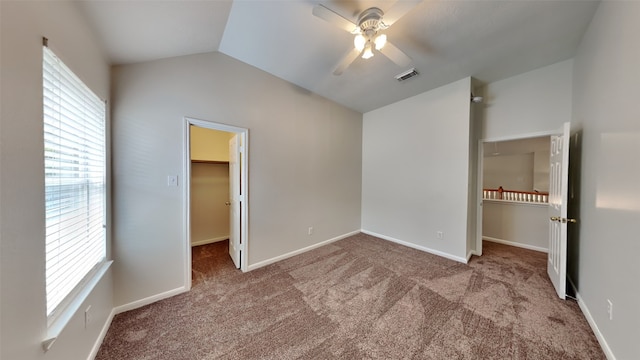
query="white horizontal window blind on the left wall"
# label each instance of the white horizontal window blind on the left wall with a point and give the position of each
(74, 166)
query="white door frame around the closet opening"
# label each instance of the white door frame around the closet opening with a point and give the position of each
(243, 135)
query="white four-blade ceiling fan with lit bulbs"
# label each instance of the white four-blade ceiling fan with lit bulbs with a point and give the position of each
(368, 32)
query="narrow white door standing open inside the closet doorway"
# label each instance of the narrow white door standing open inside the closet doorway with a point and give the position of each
(235, 201)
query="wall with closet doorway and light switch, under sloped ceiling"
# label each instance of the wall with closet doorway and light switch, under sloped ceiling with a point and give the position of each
(304, 163)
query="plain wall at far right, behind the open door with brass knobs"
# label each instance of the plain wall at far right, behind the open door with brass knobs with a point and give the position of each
(606, 79)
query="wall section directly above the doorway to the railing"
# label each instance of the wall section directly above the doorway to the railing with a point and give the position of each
(529, 103)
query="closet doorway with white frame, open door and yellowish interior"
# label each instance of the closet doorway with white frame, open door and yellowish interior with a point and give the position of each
(215, 174)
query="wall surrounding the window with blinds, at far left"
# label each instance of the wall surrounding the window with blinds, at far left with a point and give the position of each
(22, 223)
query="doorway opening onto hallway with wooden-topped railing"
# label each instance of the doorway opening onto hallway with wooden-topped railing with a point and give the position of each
(513, 186)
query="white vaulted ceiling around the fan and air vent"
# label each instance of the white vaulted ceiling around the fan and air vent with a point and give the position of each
(447, 40)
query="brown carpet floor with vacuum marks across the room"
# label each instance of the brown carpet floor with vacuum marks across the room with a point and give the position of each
(360, 298)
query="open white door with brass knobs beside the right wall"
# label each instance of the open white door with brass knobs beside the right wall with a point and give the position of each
(558, 191)
